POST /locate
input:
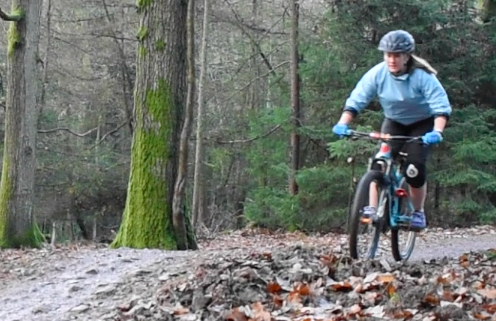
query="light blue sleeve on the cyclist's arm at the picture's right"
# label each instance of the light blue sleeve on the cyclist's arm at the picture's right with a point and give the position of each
(435, 95)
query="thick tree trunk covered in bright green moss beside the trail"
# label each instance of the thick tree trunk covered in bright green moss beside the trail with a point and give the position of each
(159, 99)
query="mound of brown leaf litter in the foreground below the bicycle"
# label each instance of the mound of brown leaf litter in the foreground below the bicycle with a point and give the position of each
(307, 283)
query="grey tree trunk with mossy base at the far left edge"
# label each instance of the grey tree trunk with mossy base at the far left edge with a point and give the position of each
(17, 224)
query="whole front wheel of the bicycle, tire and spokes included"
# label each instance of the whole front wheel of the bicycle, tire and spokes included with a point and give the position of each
(373, 229)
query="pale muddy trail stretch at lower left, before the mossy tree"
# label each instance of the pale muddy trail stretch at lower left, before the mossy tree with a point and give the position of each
(46, 287)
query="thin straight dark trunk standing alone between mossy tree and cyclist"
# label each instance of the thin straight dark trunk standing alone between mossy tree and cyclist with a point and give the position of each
(295, 100)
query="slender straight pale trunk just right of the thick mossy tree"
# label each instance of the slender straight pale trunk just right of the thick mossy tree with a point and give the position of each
(198, 184)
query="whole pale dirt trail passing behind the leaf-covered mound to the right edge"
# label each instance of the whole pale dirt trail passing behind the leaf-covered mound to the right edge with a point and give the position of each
(83, 284)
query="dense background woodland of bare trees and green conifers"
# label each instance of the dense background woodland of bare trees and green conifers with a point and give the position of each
(88, 53)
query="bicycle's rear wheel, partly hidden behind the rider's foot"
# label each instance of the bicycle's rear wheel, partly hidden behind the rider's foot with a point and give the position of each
(402, 239)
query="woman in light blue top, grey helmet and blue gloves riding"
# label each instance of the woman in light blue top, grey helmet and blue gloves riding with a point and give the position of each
(414, 103)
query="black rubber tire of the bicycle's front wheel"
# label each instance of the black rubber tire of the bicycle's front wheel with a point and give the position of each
(359, 201)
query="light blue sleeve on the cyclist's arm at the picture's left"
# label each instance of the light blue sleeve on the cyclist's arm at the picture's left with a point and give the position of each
(362, 94)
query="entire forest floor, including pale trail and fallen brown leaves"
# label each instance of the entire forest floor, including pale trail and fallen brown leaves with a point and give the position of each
(254, 275)
